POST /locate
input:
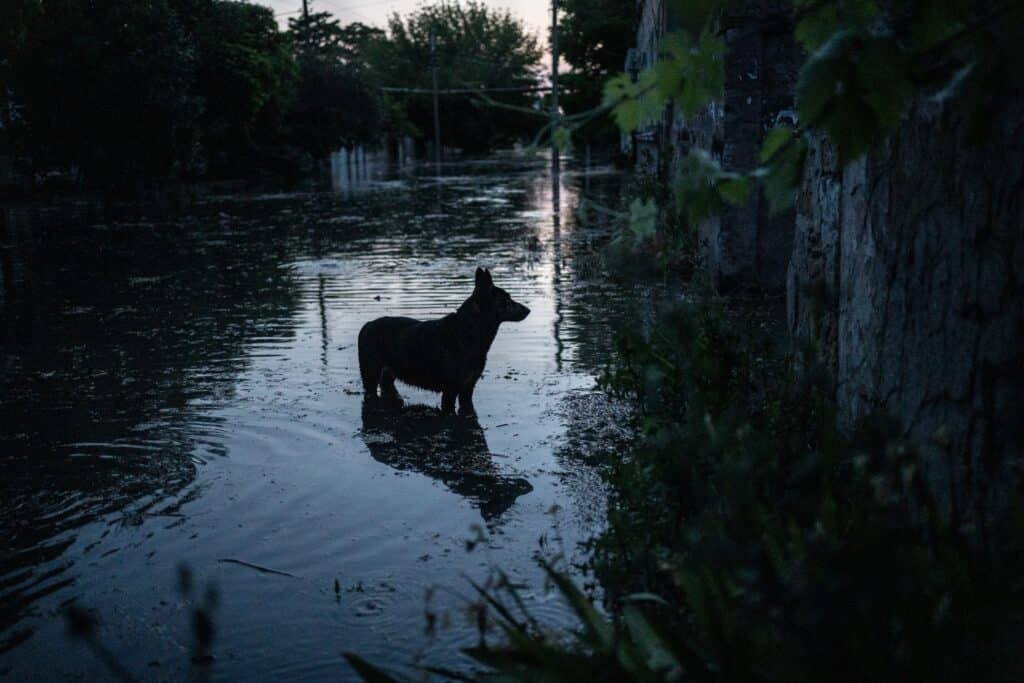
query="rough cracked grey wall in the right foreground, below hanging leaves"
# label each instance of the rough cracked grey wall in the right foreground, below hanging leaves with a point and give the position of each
(909, 273)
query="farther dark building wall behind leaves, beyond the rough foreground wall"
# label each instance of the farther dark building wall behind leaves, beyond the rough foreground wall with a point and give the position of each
(746, 246)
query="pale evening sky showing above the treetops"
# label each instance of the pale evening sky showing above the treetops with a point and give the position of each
(536, 14)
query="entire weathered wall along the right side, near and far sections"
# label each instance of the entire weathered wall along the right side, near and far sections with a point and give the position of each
(906, 269)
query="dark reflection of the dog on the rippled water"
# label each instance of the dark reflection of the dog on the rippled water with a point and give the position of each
(452, 450)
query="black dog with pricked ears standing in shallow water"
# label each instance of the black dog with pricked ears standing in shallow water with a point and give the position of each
(446, 356)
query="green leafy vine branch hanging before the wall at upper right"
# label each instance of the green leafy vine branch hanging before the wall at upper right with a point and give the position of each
(863, 72)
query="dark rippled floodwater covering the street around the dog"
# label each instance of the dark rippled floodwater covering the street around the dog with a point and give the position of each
(186, 391)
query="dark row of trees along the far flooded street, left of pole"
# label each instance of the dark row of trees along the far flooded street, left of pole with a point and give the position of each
(127, 90)
